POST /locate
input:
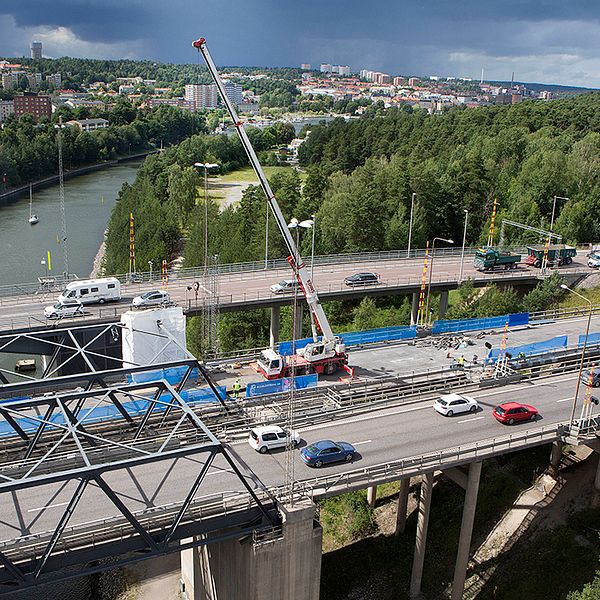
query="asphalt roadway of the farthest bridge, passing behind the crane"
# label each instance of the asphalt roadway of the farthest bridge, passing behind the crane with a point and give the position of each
(253, 287)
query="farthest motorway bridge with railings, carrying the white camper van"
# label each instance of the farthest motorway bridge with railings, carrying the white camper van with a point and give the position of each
(246, 286)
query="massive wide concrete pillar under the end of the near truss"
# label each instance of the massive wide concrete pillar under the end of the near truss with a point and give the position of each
(286, 566)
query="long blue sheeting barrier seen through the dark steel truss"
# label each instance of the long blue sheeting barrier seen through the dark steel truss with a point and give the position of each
(107, 412)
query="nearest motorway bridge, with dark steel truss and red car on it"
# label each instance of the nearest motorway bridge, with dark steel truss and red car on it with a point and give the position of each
(78, 489)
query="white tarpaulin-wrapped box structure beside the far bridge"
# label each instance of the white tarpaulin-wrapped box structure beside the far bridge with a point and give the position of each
(147, 343)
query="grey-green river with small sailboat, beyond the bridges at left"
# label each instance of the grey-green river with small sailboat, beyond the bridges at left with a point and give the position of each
(89, 200)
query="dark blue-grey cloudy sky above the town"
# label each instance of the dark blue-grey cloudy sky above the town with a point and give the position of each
(549, 41)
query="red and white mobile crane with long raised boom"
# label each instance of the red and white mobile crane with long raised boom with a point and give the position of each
(324, 355)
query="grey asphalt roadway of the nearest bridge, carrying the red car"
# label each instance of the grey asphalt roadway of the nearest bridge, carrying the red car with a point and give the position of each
(380, 437)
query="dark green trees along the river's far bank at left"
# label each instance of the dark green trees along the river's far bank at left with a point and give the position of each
(28, 150)
